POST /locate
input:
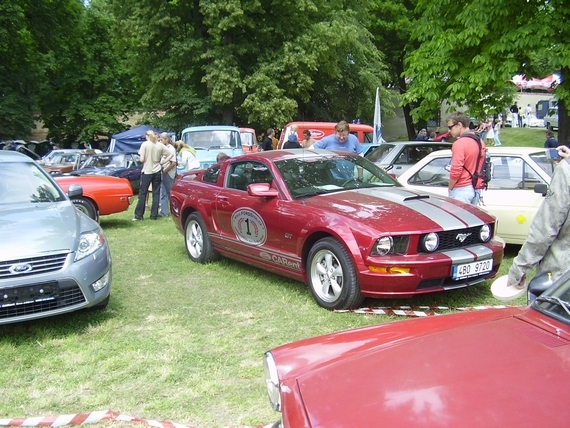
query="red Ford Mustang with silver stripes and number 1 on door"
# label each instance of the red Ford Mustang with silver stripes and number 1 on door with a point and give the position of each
(336, 222)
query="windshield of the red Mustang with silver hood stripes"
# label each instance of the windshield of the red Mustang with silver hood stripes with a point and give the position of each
(313, 176)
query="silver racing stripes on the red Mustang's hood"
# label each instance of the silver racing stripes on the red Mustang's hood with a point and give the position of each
(430, 206)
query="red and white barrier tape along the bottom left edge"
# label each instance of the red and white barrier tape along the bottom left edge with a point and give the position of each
(94, 417)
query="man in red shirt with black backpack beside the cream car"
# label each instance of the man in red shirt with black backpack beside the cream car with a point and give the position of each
(464, 160)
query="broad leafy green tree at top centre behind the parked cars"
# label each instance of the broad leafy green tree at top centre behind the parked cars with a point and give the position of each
(255, 62)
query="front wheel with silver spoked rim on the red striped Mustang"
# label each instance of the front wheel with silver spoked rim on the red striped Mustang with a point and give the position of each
(331, 276)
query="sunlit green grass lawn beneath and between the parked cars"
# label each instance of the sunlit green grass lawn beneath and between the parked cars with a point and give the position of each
(180, 341)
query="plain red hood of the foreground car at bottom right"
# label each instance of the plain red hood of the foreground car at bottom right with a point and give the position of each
(489, 370)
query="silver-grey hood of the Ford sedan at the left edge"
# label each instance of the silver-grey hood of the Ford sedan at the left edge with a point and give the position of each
(56, 230)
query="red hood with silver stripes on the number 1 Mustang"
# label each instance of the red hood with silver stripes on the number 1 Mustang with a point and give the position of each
(402, 208)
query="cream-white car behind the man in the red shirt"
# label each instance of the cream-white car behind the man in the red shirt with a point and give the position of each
(510, 195)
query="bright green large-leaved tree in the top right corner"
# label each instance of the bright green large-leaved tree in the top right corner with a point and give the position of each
(470, 50)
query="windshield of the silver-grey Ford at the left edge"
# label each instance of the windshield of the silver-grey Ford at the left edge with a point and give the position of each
(25, 182)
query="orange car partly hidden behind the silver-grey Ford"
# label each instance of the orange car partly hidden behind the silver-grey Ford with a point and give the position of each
(102, 194)
